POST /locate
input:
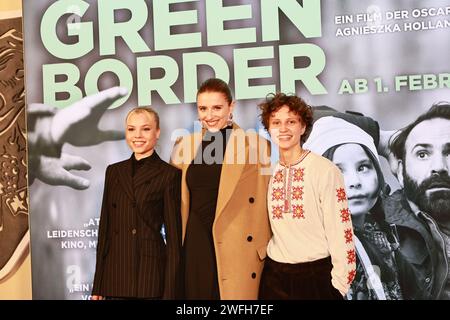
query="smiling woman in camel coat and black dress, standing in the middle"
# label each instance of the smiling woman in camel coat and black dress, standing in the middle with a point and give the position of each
(225, 174)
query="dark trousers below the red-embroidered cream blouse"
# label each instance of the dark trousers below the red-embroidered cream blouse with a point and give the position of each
(302, 281)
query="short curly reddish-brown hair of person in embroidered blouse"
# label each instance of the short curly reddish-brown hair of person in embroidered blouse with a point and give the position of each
(296, 104)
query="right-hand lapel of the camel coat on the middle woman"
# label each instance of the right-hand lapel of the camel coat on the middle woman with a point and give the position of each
(233, 165)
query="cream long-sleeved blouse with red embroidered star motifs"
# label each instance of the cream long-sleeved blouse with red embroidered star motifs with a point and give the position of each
(310, 219)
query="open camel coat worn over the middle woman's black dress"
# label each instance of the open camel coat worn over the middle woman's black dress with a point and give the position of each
(241, 229)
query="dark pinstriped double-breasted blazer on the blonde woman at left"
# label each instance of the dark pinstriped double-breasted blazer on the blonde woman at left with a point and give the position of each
(132, 259)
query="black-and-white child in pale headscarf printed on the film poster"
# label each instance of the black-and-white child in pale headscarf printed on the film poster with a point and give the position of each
(381, 272)
